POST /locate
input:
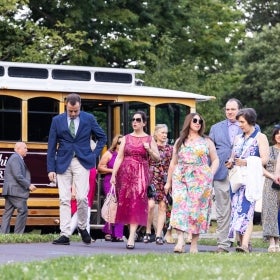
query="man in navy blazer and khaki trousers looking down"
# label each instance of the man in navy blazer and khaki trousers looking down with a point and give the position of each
(69, 161)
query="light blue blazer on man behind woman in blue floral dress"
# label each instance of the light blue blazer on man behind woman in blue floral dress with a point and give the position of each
(220, 136)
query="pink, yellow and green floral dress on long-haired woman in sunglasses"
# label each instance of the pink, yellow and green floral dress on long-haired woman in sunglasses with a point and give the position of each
(192, 188)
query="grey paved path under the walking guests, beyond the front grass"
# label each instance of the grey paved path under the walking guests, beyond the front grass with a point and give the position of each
(11, 253)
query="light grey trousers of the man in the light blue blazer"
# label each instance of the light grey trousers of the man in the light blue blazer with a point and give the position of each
(223, 211)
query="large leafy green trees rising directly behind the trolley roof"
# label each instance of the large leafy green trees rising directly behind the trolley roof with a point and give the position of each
(181, 44)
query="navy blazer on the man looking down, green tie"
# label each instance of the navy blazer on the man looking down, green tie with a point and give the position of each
(62, 145)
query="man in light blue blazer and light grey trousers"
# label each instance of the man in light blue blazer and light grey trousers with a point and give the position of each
(223, 134)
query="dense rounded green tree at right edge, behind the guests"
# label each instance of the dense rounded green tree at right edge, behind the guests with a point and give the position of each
(258, 68)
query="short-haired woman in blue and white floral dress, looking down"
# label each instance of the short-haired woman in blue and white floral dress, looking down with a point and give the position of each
(251, 143)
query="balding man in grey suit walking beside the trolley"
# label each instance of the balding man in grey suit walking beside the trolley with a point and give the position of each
(16, 188)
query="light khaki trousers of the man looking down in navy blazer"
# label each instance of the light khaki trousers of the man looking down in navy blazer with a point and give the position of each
(78, 175)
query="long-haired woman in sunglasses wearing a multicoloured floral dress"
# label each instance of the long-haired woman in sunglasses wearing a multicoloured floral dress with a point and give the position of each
(190, 177)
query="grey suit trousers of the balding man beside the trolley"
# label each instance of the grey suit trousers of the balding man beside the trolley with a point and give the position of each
(12, 203)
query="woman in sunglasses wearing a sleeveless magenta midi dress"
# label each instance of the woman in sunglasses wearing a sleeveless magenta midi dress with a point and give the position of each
(131, 176)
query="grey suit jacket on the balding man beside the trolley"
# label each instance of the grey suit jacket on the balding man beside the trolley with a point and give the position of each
(17, 178)
